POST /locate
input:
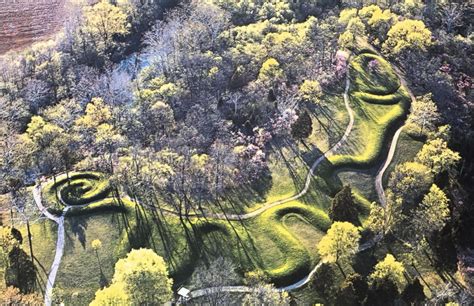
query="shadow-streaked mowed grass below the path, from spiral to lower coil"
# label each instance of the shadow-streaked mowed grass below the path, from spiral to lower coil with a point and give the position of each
(263, 243)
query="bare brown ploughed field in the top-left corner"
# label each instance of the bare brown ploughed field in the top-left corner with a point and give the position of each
(23, 22)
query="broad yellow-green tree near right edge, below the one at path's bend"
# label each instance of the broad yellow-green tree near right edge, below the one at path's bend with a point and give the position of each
(436, 155)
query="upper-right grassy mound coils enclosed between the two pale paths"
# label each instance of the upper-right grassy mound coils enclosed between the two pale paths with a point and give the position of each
(380, 103)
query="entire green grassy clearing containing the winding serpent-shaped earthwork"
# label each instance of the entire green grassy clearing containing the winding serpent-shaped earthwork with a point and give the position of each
(281, 241)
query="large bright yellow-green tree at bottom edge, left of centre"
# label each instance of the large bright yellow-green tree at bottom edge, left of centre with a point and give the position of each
(141, 277)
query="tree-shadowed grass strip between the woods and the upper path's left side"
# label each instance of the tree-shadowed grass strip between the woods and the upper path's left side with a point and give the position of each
(290, 161)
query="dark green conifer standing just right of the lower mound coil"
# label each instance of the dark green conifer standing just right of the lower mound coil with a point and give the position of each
(343, 207)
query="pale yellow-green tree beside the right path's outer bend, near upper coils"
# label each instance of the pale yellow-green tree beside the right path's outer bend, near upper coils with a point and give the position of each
(423, 114)
